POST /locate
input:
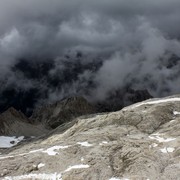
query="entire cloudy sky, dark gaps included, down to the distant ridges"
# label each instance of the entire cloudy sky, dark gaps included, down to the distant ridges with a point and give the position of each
(54, 49)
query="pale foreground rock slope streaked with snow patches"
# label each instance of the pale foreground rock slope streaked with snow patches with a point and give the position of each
(139, 142)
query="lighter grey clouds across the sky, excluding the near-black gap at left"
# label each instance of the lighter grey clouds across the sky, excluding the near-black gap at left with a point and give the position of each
(135, 38)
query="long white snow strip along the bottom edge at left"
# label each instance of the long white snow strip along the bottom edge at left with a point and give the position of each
(54, 176)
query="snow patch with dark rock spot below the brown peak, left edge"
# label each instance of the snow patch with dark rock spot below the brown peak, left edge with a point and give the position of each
(8, 142)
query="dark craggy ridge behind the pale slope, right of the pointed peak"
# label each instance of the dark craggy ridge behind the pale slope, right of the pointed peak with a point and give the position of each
(63, 111)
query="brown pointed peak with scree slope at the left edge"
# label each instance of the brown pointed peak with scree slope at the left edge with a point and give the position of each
(15, 123)
